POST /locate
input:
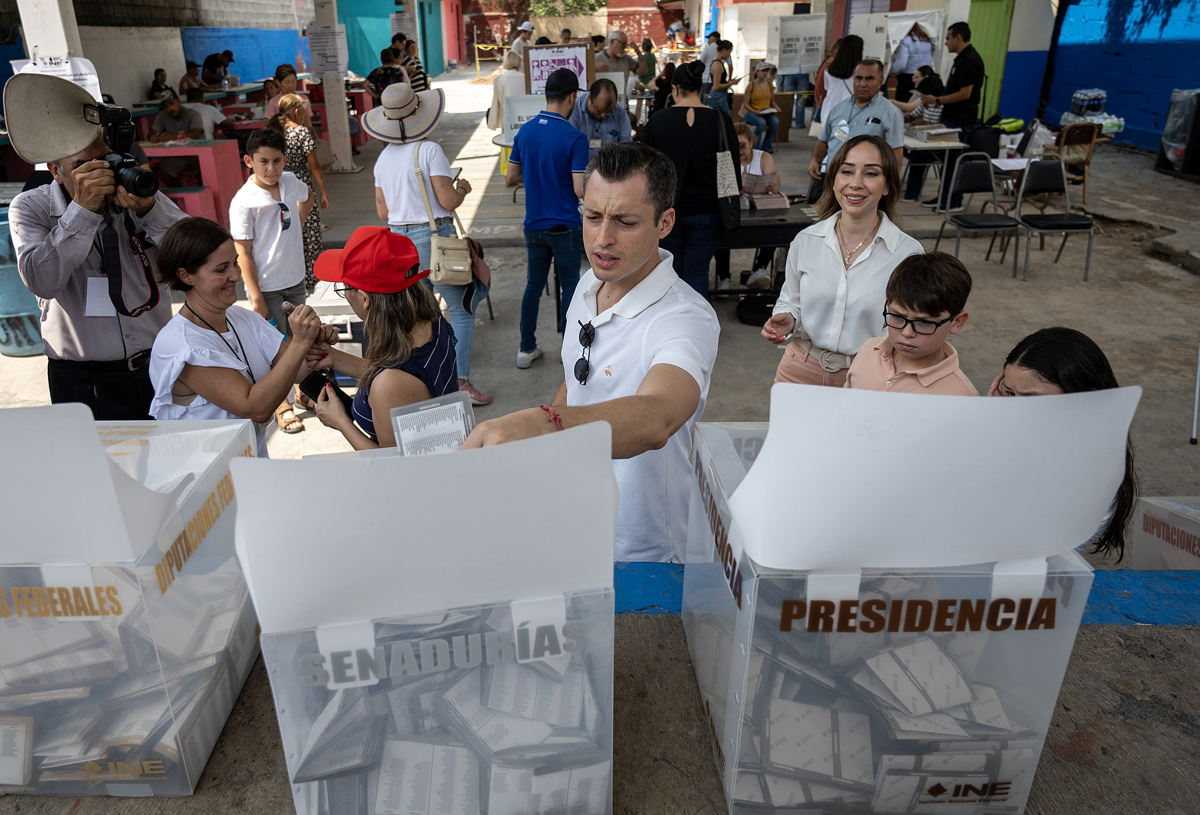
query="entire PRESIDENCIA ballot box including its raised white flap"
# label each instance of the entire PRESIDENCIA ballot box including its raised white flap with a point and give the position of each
(857, 646)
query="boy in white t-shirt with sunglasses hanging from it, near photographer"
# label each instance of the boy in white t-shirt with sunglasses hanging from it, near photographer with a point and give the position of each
(267, 224)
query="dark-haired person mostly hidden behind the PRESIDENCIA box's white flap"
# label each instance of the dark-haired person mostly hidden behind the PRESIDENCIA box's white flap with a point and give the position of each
(1063, 361)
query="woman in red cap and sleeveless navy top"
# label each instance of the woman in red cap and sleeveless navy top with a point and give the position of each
(411, 356)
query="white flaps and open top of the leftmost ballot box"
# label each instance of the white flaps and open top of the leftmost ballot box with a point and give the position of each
(67, 501)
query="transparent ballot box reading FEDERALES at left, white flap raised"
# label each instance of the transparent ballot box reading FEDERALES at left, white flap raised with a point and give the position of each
(127, 631)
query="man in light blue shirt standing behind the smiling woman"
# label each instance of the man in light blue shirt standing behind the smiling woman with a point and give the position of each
(867, 113)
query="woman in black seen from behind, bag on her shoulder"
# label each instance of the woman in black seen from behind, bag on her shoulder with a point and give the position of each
(689, 134)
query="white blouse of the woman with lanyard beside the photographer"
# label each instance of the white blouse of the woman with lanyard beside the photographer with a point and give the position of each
(182, 343)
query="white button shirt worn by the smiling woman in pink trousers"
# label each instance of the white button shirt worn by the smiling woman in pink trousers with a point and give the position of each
(841, 309)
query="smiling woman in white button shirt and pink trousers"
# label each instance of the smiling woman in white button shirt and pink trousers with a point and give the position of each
(838, 269)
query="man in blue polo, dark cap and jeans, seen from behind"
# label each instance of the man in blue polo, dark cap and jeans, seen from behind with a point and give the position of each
(550, 157)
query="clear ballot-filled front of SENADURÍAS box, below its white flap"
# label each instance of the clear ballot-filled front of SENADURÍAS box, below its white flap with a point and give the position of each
(457, 712)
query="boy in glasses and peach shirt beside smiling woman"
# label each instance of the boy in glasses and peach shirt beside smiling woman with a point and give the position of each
(926, 301)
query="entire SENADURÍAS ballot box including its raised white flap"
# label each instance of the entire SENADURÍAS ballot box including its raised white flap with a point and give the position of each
(421, 670)
